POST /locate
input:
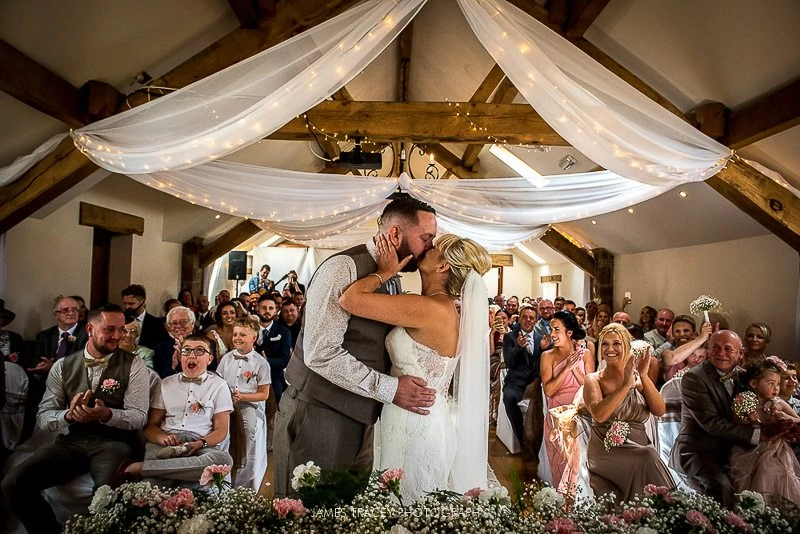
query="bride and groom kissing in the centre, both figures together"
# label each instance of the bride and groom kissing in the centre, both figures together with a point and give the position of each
(368, 351)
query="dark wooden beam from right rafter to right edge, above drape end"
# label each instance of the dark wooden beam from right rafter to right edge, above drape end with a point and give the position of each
(770, 114)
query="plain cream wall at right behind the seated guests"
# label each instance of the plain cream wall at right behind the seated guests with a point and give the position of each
(755, 278)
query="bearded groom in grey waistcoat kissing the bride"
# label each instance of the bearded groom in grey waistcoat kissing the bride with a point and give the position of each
(338, 374)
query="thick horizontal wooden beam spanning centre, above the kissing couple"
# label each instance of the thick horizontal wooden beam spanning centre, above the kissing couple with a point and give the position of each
(425, 122)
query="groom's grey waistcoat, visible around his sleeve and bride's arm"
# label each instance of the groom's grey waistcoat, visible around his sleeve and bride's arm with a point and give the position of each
(364, 339)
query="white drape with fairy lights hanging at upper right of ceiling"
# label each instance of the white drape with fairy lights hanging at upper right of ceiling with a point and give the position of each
(598, 113)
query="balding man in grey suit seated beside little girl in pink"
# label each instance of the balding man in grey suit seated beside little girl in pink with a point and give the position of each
(707, 427)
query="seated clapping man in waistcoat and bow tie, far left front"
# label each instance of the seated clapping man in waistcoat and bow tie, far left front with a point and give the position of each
(102, 427)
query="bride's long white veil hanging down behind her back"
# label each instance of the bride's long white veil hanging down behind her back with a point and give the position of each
(471, 390)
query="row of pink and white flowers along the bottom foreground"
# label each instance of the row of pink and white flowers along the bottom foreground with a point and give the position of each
(537, 508)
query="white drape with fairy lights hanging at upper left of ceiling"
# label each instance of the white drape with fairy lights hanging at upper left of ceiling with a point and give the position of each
(237, 106)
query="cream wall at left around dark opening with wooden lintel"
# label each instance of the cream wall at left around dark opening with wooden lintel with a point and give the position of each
(45, 257)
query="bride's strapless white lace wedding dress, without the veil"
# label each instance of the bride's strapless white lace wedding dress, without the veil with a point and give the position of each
(423, 445)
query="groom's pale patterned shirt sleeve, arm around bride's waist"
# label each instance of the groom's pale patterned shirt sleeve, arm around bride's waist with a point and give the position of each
(325, 323)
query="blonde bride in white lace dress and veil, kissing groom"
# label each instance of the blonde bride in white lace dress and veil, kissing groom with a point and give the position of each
(445, 448)
